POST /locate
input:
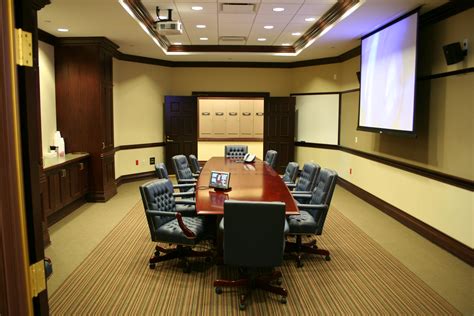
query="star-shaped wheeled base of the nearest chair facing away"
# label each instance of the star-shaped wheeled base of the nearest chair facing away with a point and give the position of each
(263, 282)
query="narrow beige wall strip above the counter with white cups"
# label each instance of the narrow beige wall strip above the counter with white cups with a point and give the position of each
(47, 94)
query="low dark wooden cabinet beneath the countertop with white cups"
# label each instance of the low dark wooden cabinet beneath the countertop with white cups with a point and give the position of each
(64, 187)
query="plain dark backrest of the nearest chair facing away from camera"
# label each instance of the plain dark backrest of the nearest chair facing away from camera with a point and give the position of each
(253, 233)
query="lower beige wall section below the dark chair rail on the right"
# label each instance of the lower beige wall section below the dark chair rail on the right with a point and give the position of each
(442, 206)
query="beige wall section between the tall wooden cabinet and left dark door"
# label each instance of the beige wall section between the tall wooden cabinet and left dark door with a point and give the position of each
(139, 91)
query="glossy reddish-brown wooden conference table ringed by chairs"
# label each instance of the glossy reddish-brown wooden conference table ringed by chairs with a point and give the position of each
(249, 182)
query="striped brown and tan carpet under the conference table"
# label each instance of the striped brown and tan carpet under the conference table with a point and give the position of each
(361, 279)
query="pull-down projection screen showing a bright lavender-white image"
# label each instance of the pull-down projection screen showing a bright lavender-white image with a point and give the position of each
(388, 72)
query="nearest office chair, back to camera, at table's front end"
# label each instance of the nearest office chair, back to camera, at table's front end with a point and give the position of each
(253, 238)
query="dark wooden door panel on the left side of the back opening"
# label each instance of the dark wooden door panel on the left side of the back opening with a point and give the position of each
(180, 127)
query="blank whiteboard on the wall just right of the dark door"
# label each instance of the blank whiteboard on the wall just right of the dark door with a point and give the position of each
(317, 118)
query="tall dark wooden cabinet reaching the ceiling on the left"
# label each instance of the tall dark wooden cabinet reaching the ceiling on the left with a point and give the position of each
(84, 107)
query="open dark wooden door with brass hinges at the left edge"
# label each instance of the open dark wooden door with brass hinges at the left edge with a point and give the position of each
(21, 235)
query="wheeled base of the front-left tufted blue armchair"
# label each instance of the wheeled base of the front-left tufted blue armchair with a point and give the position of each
(180, 252)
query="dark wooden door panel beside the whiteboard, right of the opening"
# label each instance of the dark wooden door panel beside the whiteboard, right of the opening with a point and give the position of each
(279, 127)
